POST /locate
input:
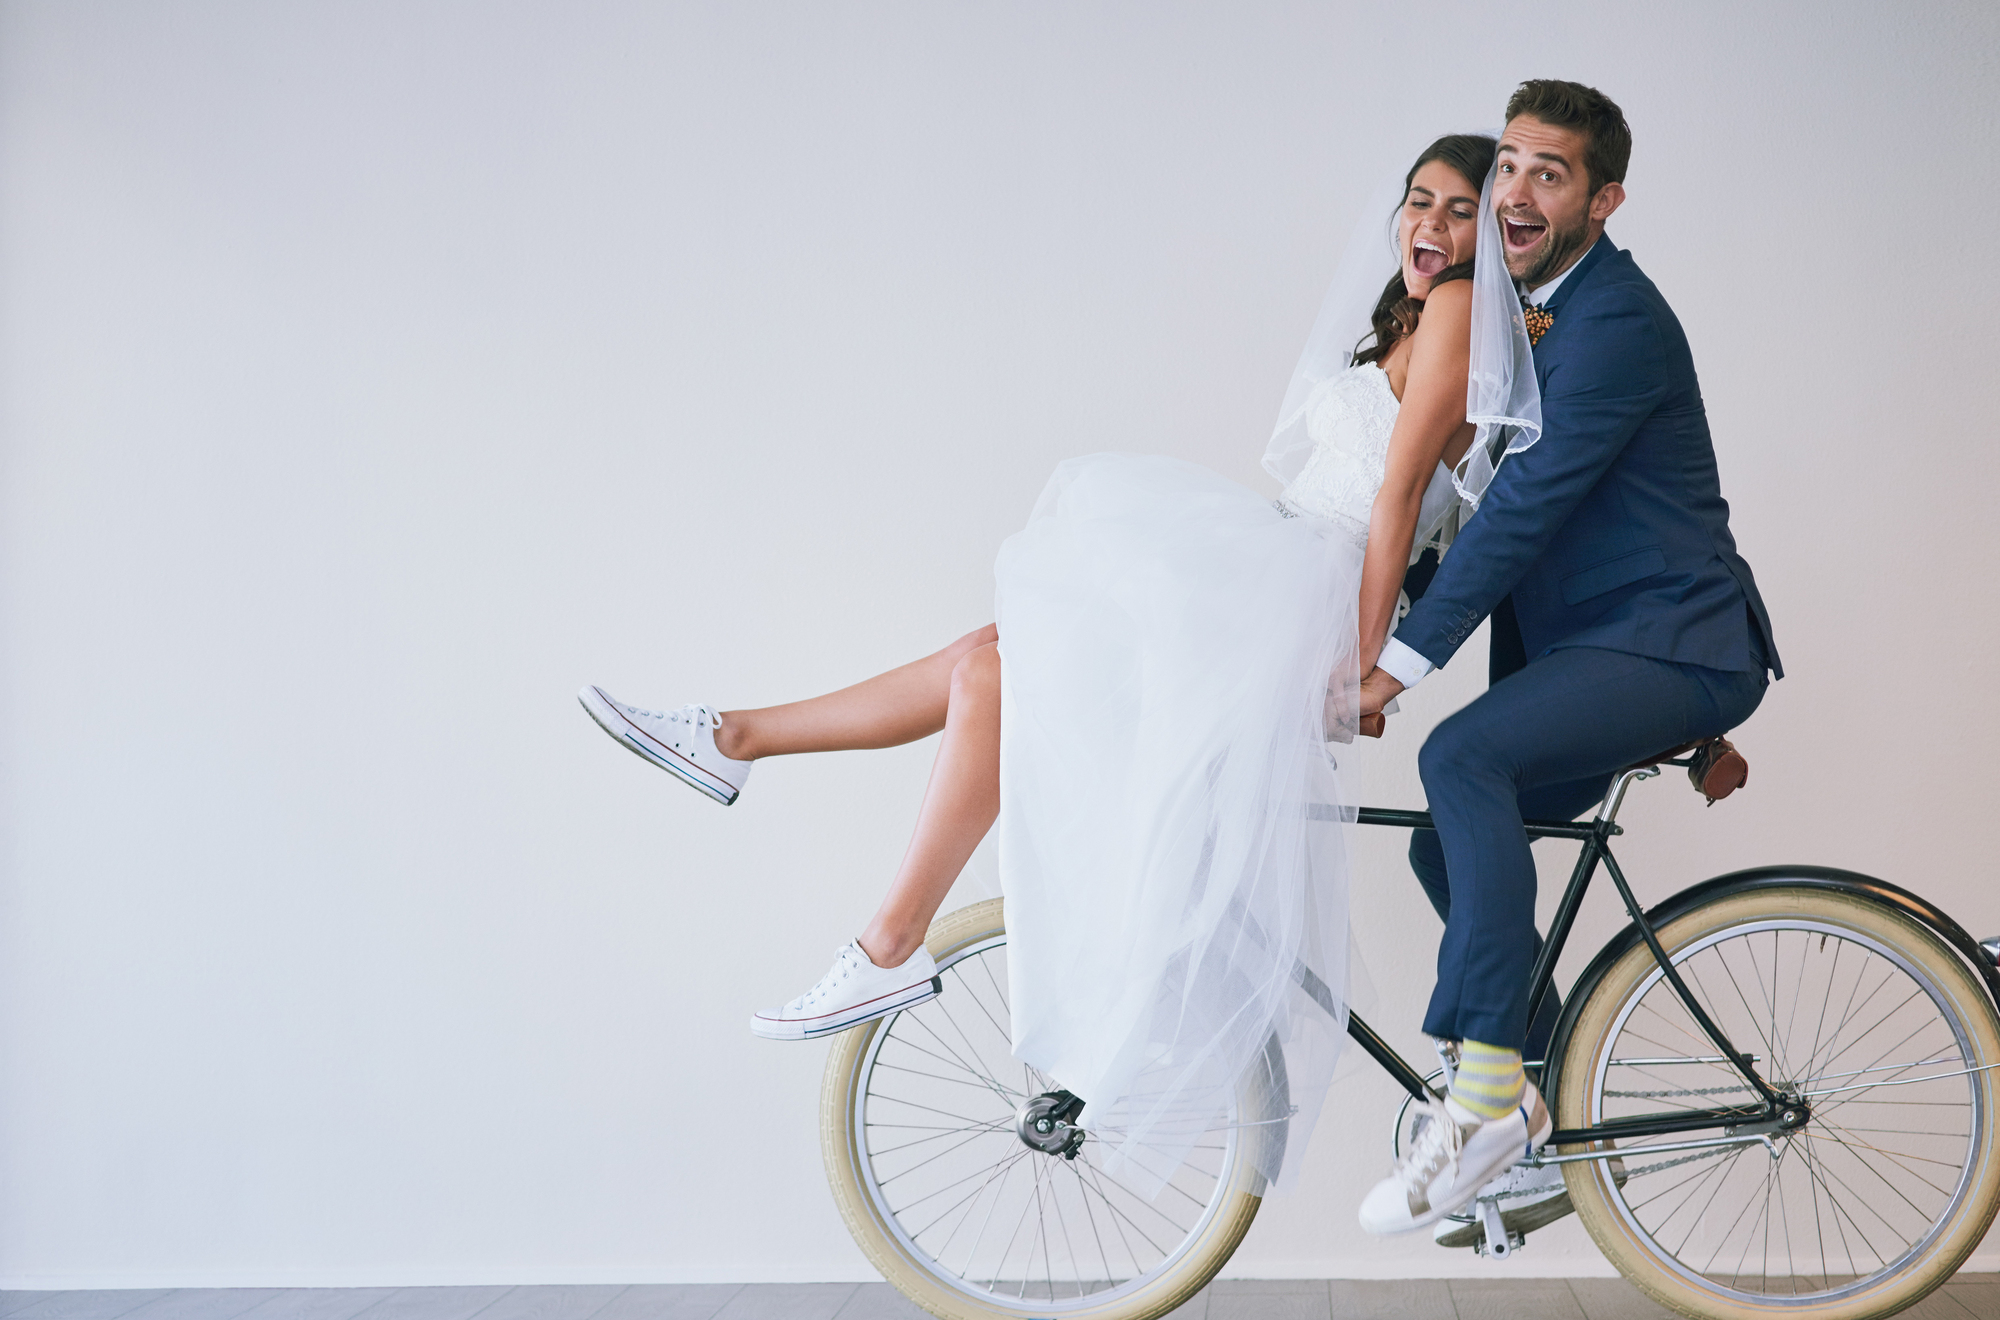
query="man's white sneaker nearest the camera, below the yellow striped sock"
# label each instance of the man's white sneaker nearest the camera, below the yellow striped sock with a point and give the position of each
(1451, 1159)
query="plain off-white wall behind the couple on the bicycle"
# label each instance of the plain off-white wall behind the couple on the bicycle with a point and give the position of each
(375, 375)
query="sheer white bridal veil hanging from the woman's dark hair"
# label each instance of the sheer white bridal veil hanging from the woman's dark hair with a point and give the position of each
(1501, 393)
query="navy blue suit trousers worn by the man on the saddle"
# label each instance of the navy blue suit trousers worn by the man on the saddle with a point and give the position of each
(1543, 741)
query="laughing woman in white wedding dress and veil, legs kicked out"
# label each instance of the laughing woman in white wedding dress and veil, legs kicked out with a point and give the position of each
(1149, 717)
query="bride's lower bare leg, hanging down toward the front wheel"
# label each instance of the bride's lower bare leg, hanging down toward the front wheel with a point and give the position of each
(959, 807)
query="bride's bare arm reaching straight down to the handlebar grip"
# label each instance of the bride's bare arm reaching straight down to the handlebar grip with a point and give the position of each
(1431, 427)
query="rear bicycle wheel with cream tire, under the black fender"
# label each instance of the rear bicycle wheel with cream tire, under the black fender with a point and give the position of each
(1849, 1007)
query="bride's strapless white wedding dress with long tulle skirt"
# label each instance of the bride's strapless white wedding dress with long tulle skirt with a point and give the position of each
(1177, 651)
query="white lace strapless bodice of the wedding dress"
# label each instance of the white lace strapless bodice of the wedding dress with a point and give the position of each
(1351, 419)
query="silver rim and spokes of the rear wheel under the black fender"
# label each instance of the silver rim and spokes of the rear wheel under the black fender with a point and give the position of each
(1845, 1023)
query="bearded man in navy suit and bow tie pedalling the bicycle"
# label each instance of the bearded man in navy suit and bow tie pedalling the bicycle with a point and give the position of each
(1607, 551)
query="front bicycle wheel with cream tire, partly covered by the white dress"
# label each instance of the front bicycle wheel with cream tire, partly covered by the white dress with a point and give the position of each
(941, 1193)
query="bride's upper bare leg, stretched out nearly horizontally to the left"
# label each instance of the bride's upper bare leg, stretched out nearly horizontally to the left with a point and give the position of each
(879, 713)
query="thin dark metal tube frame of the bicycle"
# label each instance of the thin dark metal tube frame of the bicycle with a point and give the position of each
(1595, 837)
